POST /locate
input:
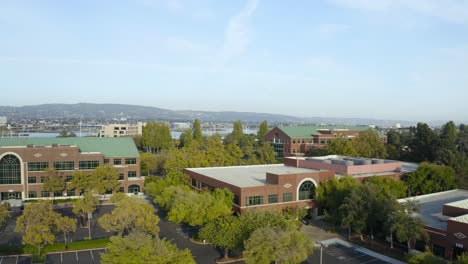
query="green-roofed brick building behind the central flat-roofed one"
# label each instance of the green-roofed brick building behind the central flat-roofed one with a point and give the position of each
(297, 140)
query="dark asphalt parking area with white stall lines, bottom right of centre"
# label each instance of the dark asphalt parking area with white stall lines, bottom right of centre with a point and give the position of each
(334, 254)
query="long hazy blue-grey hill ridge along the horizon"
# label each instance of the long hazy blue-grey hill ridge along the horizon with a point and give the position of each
(110, 112)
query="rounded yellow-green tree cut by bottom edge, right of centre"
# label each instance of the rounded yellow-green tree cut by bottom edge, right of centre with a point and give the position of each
(269, 244)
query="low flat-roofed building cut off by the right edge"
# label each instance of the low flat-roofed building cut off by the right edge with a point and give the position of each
(446, 217)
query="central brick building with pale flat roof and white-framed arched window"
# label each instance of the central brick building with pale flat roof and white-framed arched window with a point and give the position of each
(293, 183)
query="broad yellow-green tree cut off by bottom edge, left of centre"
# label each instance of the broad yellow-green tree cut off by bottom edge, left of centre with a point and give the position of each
(141, 248)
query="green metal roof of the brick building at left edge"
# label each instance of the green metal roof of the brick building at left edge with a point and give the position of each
(110, 147)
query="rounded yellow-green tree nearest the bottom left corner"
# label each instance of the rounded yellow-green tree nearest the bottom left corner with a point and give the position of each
(38, 224)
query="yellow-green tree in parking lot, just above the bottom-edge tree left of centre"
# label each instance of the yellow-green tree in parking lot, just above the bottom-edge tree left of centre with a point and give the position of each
(130, 214)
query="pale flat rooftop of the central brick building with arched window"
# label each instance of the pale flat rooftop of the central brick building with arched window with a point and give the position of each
(248, 176)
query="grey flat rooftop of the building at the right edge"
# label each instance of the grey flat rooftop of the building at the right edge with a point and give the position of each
(432, 204)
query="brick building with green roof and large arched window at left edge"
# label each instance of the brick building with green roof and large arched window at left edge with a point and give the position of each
(24, 160)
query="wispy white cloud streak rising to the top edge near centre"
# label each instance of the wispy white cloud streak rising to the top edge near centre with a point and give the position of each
(237, 35)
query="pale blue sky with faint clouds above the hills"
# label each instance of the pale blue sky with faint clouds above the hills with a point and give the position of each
(384, 59)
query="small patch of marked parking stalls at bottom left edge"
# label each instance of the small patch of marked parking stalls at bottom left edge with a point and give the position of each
(76, 257)
